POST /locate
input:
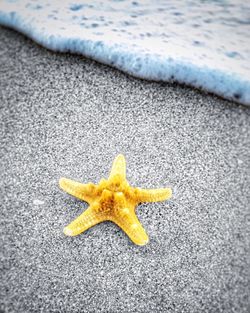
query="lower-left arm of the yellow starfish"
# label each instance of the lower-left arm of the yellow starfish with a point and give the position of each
(83, 222)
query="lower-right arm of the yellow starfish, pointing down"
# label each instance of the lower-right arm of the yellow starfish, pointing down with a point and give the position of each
(129, 223)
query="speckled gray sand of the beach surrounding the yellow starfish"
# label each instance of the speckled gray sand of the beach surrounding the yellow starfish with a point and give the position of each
(63, 115)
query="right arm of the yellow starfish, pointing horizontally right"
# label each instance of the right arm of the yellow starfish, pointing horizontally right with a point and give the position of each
(152, 195)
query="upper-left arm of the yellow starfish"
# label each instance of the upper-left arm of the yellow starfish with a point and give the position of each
(84, 192)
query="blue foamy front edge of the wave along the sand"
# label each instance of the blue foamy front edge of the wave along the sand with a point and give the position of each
(171, 70)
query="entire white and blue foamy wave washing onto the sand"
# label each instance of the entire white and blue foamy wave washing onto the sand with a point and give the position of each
(205, 44)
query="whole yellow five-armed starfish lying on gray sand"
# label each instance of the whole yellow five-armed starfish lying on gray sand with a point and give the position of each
(112, 200)
